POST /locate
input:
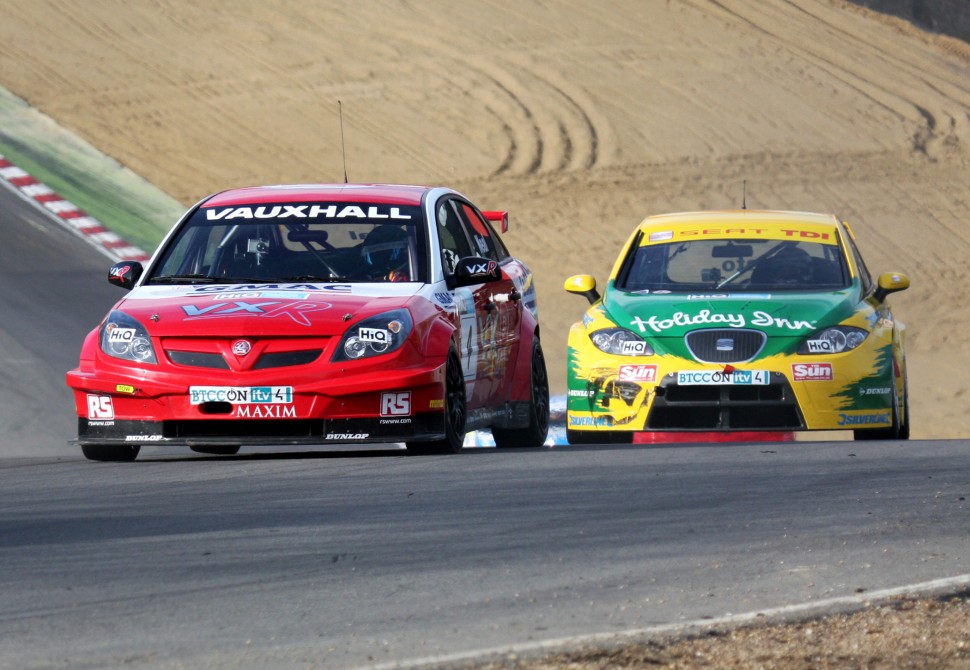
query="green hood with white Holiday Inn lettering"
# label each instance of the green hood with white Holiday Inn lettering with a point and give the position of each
(778, 315)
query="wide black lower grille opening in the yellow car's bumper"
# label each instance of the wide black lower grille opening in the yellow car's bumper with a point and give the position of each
(729, 407)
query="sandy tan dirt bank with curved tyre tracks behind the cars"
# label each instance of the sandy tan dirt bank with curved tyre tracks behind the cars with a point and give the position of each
(580, 118)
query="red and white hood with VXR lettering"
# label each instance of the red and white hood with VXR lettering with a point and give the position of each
(255, 310)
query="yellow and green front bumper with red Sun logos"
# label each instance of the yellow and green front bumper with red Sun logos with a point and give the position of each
(643, 394)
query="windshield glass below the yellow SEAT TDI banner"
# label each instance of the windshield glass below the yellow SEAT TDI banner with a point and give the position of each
(735, 265)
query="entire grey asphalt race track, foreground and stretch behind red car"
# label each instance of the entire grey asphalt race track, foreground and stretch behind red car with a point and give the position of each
(340, 559)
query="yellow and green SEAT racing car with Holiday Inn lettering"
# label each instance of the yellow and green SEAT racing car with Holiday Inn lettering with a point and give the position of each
(730, 321)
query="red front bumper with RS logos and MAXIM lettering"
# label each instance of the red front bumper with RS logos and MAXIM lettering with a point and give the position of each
(116, 406)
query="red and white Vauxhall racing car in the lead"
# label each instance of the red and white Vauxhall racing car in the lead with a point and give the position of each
(316, 314)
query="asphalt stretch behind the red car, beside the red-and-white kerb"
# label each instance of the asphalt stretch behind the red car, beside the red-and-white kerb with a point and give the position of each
(53, 290)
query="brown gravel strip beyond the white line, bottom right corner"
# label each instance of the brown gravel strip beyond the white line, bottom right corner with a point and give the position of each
(926, 633)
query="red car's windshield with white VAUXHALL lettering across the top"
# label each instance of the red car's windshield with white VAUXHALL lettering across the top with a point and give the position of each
(287, 242)
